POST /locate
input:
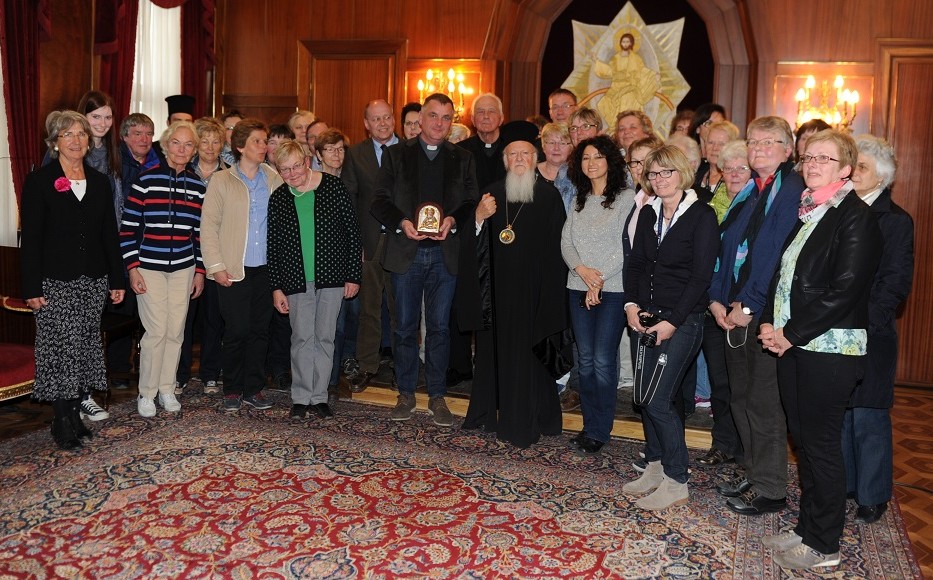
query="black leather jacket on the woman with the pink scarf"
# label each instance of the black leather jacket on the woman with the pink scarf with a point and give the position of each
(833, 273)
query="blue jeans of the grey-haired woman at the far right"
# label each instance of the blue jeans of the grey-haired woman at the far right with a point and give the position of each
(868, 453)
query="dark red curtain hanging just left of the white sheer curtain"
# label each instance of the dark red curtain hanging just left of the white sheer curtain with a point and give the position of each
(115, 42)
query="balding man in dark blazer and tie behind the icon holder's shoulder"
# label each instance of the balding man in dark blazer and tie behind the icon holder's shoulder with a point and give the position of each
(360, 170)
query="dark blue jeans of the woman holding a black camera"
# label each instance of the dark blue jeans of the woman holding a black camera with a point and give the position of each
(664, 431)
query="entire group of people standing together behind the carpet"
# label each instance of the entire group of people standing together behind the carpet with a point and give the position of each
(771, 267)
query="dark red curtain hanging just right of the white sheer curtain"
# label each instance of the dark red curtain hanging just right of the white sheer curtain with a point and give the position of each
(197, 52)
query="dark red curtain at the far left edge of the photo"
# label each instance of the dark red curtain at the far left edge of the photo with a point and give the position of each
(19, 43)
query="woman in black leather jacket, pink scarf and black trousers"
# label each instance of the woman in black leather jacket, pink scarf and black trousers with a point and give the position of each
(816, 321)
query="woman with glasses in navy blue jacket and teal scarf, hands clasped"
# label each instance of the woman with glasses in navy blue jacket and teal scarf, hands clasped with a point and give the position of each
(754, 229)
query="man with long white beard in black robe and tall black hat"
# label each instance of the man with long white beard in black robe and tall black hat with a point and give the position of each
(518, 227)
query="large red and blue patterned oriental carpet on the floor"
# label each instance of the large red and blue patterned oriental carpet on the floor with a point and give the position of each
(207, 495)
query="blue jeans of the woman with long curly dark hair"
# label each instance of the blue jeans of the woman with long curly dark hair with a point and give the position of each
(598, 332)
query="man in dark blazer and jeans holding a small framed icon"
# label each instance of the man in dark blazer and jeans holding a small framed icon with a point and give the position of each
(424, 170)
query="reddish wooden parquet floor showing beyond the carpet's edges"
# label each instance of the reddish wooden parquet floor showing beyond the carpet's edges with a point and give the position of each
(912, 419)
